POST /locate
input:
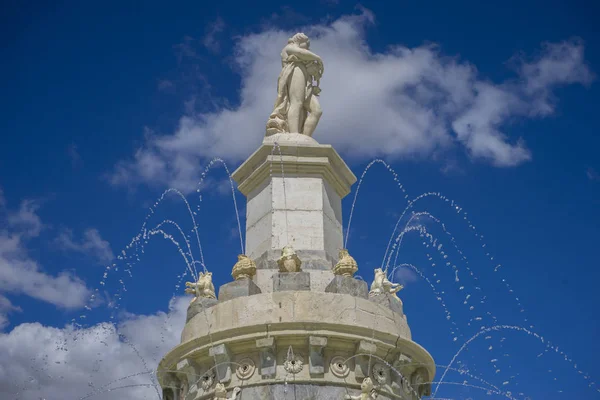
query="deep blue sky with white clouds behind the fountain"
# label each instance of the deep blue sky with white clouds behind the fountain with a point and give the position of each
(492, 105)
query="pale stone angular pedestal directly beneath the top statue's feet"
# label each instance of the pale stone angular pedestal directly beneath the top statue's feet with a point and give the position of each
(294, 191)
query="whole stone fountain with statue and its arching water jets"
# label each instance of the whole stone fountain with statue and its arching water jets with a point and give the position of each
(297, 321)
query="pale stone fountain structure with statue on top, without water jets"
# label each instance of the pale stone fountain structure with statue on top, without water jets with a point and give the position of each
(306, 320)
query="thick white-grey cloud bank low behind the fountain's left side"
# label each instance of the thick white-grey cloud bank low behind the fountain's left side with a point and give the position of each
(35, 357)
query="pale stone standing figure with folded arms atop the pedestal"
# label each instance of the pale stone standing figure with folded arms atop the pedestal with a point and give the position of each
(297, 108)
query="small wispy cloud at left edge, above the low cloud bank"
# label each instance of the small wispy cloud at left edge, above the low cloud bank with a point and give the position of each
(21, 274)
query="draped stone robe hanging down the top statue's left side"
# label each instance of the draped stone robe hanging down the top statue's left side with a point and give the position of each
(278, 120)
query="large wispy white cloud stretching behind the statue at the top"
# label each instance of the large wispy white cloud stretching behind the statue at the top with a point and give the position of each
(403, 103)
